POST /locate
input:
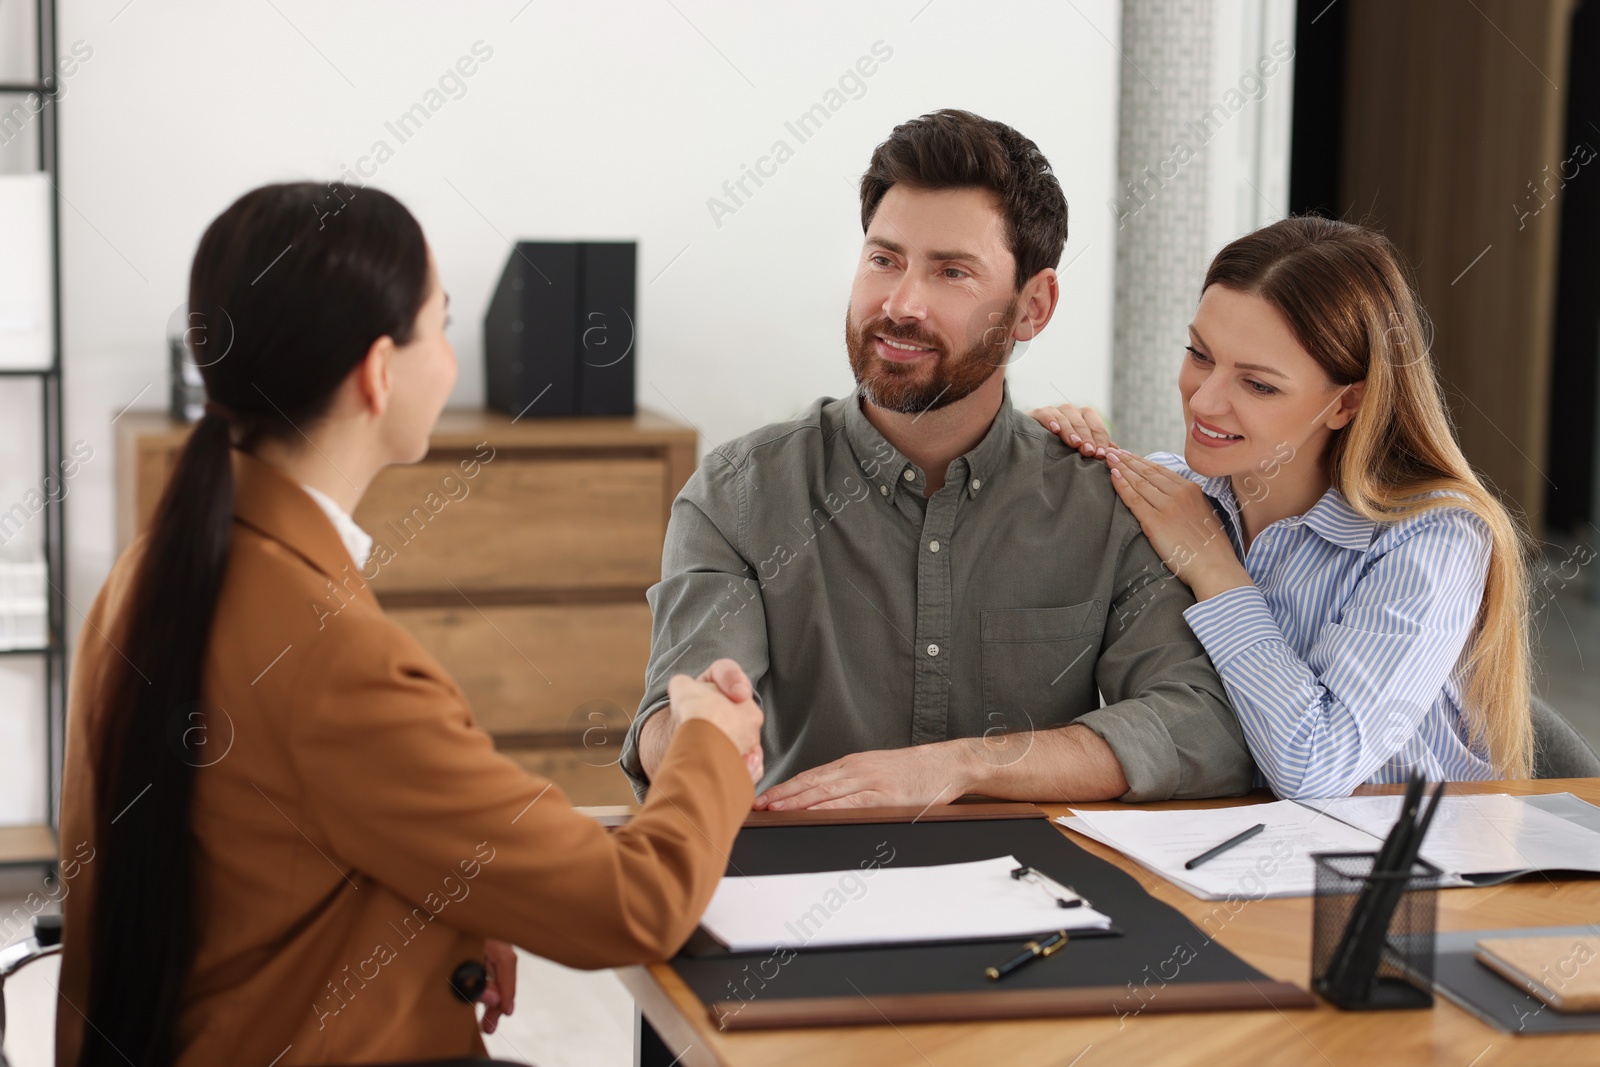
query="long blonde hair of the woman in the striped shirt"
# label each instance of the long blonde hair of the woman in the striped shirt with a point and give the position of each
(1351, 305)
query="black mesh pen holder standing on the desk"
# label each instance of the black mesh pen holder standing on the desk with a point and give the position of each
(1374, 933)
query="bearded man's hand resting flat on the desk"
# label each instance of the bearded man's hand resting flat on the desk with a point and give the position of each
(924, 775)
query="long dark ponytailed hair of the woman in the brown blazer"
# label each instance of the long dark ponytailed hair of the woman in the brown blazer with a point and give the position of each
(290, 289)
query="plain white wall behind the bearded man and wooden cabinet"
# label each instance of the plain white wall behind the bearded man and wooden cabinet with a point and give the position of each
(590, 121)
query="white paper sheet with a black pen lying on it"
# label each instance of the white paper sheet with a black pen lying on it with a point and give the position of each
(1274, 863)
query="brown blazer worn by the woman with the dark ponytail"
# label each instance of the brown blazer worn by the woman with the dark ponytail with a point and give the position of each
(359, 837)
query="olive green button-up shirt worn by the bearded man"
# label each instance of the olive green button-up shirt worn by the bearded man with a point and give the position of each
(871, 617)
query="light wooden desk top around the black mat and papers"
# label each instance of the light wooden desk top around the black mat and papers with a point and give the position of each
(1271, 935)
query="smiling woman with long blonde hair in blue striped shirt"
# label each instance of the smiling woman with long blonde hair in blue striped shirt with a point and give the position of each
(1358, 588)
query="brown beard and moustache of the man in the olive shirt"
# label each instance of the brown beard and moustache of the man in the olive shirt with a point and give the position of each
(927, 385)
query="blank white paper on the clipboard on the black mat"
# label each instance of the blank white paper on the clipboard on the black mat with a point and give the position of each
(887, 906)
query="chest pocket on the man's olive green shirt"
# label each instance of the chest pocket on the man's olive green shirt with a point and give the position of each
(1039, 666)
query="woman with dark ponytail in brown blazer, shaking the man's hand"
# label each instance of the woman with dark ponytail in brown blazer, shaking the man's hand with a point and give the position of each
(295, 834)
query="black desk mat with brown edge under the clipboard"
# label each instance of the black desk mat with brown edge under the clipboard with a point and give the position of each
(1159, 964)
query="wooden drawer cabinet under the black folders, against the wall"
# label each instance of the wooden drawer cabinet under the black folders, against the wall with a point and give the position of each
(527, 581)
